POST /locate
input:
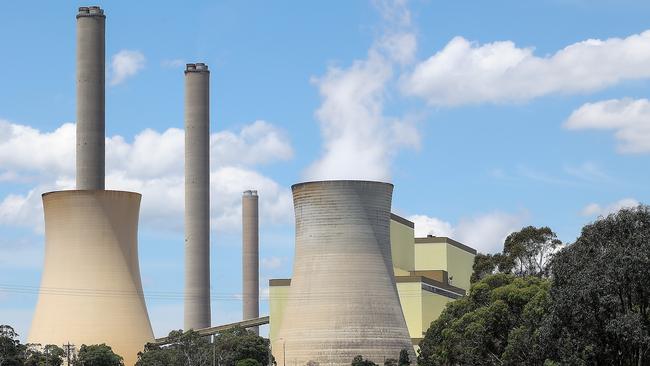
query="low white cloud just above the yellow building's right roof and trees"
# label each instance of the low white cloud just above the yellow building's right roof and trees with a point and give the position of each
(485, 233)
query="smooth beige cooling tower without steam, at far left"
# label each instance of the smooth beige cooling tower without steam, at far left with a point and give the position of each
(91, 291)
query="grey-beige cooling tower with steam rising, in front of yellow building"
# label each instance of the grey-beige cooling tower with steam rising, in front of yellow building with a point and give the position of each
(342, 301)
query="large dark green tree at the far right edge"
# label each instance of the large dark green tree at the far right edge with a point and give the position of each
(601, 293)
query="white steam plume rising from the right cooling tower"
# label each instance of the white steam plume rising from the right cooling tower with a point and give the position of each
(359, 140)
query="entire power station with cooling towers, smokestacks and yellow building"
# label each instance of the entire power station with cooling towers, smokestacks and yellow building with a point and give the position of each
(362, 283)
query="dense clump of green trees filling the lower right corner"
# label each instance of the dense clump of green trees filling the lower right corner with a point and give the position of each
(586, 304)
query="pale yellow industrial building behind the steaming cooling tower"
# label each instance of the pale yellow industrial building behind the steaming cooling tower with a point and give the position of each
(429, 272)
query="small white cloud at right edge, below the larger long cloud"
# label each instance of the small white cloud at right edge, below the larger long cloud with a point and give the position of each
(630, 118)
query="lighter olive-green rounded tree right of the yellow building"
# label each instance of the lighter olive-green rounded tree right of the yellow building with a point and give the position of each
(484, 327)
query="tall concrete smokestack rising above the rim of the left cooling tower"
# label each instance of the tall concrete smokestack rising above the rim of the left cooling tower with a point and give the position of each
(91, 23)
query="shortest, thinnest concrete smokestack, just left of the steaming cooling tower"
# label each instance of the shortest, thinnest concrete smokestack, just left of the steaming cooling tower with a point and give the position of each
(250, 256)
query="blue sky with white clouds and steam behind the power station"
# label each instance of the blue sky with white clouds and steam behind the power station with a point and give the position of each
(486, 119)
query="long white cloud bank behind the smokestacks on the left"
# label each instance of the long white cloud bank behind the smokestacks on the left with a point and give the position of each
(130, 166)
